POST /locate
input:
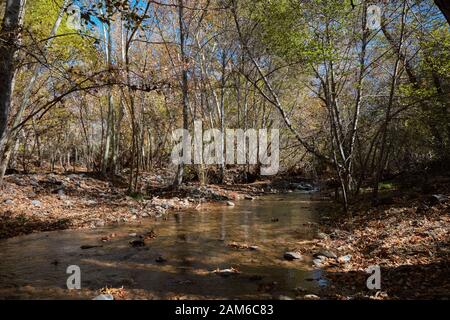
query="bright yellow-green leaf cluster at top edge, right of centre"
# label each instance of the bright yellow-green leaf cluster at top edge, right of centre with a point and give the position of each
(295, 30)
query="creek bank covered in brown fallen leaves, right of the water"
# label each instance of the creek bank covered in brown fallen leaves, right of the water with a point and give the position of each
(407, 236)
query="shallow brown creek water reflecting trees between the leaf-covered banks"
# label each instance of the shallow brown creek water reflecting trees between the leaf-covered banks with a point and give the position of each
(193, 243)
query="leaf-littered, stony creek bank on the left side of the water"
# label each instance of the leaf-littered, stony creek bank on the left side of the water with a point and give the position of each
(47, 202)
